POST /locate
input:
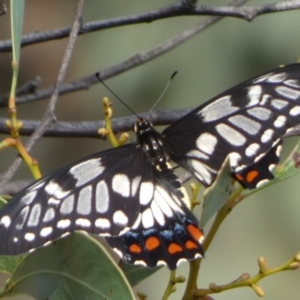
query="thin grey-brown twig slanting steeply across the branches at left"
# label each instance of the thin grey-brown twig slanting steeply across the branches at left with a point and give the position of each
(49, 117)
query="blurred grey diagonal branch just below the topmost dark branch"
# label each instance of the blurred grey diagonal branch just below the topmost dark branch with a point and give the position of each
(134, 61)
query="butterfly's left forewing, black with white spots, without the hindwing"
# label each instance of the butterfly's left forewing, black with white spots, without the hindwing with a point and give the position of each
(99, 195)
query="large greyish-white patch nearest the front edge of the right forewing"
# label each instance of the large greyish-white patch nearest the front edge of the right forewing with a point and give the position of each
(218, 109)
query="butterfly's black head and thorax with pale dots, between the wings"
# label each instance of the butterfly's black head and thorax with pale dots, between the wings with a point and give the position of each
(151, 142)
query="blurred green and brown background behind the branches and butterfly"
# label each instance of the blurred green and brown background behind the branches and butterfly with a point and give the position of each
(221, 56)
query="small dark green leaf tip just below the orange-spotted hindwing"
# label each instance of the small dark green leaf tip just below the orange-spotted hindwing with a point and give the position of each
(136, 274)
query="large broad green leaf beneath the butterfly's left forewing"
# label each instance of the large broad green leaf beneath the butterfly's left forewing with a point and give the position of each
(76, 267)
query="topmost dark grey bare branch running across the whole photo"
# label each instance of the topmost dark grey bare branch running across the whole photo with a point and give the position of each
(182, 8)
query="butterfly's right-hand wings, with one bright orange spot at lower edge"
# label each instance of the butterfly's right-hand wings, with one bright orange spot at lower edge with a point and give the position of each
(244, 123)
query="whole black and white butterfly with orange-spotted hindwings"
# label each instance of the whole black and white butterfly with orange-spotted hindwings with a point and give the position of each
(131, 195)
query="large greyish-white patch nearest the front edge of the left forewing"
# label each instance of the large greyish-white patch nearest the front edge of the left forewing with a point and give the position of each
(87, 171)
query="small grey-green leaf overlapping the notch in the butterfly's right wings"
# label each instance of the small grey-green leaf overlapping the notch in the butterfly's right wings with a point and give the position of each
(217, 194)
